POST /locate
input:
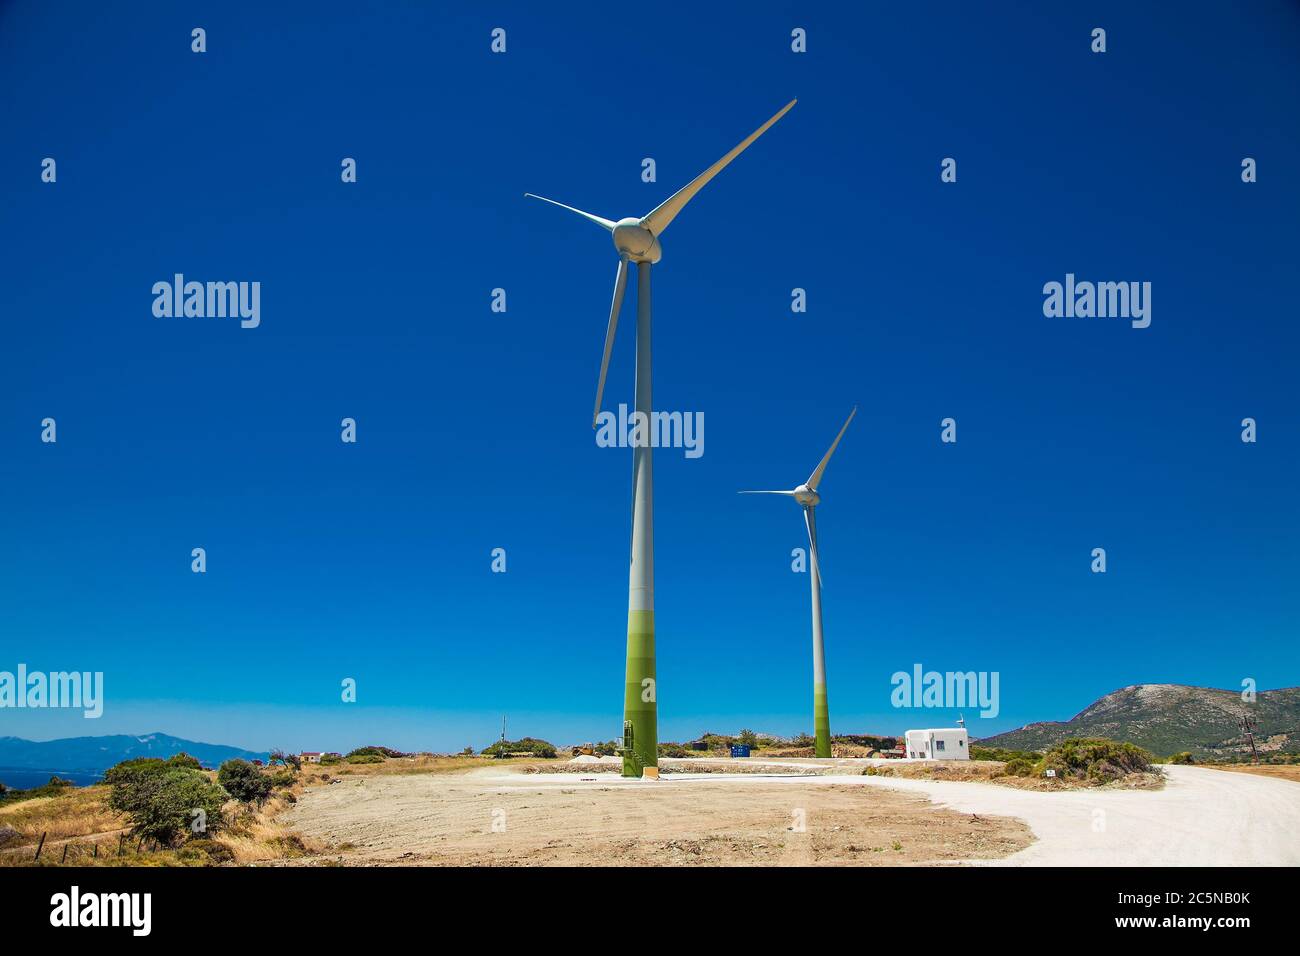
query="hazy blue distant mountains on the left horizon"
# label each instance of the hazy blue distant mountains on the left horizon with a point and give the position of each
(96, 755)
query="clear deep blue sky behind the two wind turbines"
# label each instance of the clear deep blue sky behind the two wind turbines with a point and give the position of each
(371, 561)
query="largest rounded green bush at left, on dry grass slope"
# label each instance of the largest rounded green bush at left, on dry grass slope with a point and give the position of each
(163, 801)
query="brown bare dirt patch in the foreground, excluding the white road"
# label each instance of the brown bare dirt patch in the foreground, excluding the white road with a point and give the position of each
(508, 819)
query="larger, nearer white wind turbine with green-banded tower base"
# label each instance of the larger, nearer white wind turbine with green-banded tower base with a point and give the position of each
(638, 241)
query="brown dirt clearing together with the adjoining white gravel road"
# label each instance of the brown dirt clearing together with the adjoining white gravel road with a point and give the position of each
(583, 816)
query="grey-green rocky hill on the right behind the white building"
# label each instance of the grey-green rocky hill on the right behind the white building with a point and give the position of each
(1172, 719)
